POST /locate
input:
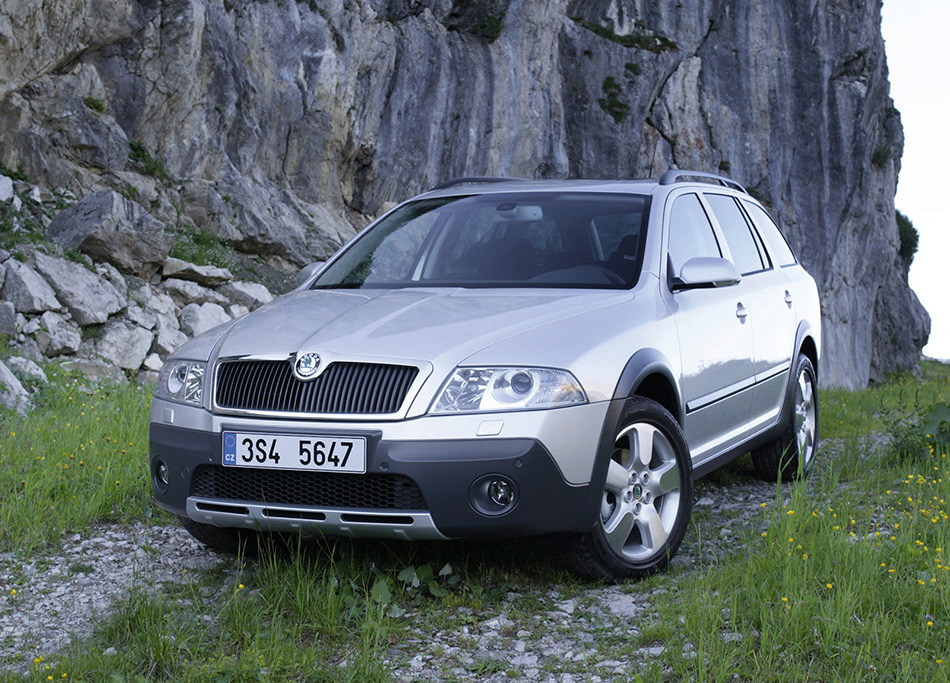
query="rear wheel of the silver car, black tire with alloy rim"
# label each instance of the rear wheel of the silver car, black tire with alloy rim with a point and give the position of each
(792, 455)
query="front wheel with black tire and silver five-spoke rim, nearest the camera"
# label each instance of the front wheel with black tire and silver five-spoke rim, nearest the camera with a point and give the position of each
(643, 518)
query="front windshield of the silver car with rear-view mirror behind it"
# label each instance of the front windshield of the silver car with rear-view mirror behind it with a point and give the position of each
(499, 240)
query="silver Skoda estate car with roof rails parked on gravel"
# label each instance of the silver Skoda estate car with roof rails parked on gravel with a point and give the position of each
(504, 358)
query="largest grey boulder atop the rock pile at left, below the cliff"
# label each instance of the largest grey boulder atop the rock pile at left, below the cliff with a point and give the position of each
(108, 227)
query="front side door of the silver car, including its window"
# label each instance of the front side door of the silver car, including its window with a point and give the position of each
(715, 339)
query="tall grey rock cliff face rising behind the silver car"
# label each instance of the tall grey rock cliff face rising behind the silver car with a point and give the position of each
(280, 126)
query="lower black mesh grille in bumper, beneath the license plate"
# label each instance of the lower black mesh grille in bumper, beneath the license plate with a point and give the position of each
(318, 489)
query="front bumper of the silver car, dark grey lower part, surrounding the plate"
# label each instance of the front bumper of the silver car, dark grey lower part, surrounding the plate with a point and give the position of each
(420, 489)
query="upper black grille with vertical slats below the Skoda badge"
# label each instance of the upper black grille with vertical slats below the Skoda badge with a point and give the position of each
(343, 388)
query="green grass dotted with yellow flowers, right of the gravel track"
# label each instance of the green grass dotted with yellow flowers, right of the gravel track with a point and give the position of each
(849, 581)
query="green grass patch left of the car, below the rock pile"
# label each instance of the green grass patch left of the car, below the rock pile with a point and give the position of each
(77, 458)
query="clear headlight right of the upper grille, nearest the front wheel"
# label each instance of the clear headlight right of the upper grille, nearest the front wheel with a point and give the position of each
(494, 389)
